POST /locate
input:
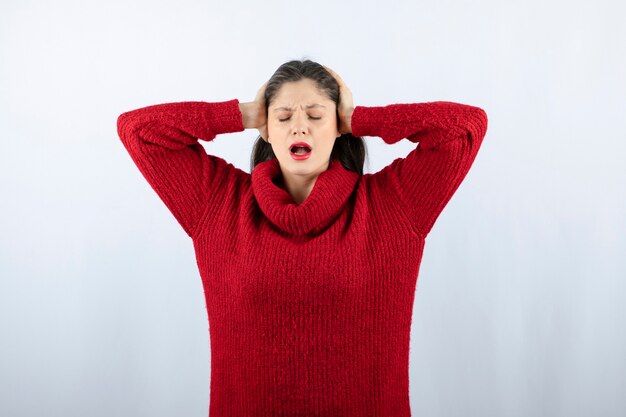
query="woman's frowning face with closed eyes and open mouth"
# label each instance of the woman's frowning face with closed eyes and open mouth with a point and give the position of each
(300, 112)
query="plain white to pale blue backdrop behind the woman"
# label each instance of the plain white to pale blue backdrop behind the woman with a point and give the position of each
(520, 304)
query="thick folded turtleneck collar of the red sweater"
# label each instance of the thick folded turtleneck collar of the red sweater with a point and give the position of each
(330, 192)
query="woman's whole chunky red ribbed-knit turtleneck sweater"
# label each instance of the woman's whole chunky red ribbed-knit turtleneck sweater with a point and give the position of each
(309, 305)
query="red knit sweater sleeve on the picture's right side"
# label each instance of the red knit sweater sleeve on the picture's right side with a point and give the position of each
(449, 136)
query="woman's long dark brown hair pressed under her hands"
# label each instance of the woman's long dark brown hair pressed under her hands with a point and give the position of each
(348, 149)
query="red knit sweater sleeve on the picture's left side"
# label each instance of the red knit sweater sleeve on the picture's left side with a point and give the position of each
(162, 141)
